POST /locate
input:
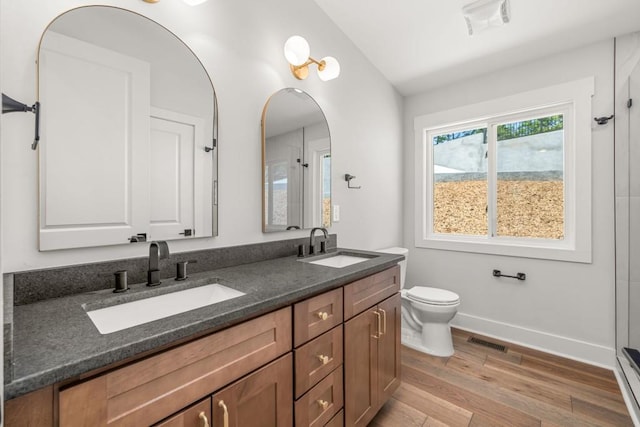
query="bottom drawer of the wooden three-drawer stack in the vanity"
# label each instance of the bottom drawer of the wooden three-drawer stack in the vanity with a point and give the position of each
(322, 402)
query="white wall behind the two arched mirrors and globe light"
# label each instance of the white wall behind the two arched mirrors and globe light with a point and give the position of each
(240, 43)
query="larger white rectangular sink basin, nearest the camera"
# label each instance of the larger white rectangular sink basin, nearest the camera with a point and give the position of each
(126, 315)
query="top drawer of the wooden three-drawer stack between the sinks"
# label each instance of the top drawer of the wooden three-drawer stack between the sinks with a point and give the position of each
(316, 315)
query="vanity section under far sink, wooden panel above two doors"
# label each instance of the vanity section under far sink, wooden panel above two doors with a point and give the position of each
(371, 345)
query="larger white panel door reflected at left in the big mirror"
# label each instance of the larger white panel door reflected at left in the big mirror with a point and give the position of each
(95, 144)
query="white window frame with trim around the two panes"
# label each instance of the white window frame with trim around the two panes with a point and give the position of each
(573, 100)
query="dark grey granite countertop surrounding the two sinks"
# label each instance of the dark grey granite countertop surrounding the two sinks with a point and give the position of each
(54, 340)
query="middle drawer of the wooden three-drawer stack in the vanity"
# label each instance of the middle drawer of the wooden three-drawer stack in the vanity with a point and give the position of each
(317, 358)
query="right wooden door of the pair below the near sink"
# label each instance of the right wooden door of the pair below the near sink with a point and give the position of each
(262, 399)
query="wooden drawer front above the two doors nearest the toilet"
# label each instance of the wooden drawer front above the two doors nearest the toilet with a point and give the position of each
(367, 292)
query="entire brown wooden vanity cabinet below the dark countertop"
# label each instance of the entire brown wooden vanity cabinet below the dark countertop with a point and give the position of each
(344, 366)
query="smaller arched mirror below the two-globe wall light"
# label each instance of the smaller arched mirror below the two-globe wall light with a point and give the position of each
(296, 163)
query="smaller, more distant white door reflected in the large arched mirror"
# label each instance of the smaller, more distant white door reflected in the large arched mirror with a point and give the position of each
(176, 170)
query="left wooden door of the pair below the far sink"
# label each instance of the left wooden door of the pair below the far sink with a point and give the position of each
(360, 367)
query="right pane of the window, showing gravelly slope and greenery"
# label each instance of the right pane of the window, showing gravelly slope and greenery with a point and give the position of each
(530, 165)
